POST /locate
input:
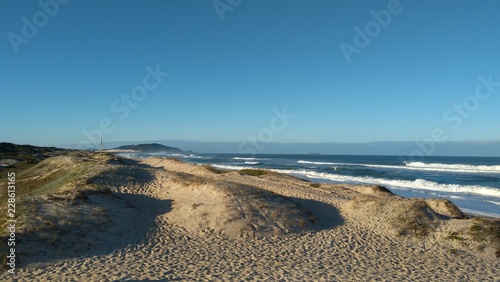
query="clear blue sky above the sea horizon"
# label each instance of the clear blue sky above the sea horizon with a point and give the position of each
(344, 70)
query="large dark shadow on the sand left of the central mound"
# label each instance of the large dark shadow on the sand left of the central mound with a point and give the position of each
(103, 224)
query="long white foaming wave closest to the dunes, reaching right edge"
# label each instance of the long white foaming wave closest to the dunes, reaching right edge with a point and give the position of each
(403, 184)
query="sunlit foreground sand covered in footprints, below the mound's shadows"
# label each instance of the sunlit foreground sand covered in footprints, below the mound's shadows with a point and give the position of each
(170, 253)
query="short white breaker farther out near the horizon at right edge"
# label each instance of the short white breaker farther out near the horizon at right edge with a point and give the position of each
(453, 167)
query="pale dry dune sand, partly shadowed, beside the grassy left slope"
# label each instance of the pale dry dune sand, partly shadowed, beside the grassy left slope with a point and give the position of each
(184, 222)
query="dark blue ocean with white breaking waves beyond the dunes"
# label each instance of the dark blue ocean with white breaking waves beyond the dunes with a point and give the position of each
(471, 183)
